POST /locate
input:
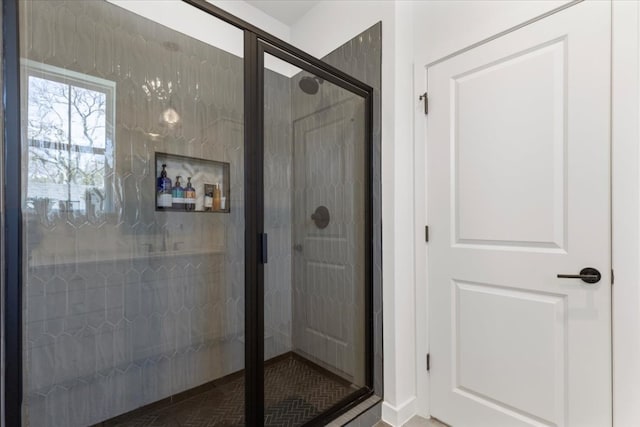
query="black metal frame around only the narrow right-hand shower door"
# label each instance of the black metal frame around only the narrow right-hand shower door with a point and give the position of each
(254, 99)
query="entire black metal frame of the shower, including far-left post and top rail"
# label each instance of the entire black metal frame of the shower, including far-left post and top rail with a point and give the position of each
(256, 43)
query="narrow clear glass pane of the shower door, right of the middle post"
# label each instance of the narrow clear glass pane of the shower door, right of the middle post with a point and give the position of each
(315, 205)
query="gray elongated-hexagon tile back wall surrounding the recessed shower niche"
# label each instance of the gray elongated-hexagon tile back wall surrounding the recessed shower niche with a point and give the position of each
(113, 321)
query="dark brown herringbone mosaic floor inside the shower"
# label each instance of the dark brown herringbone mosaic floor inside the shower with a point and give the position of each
(295, 392)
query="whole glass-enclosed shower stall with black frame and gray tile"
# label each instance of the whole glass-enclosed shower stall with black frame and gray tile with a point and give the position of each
(191, 214)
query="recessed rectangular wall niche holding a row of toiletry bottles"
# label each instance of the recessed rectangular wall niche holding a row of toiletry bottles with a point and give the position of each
(208, 179)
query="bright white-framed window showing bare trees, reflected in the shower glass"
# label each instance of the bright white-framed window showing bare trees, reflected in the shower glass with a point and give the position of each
(70, 120)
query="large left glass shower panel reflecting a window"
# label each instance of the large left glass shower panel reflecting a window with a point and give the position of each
(129, 297)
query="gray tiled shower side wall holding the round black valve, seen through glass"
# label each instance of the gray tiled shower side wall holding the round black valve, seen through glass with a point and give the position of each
(329, 270)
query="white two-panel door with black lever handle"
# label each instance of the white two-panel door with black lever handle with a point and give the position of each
(518, 191)
